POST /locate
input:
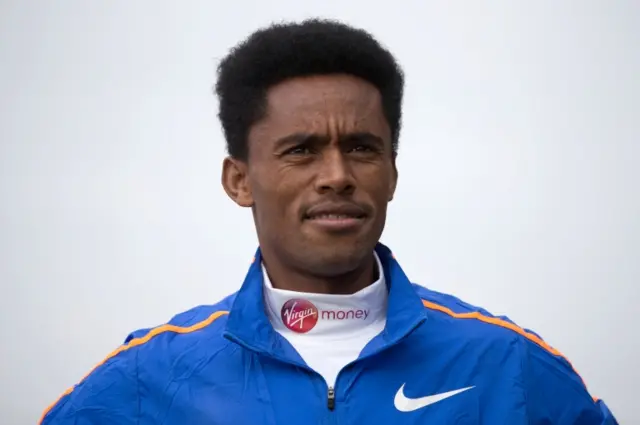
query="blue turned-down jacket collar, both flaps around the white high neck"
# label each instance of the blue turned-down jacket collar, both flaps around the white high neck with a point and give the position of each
(249, 325)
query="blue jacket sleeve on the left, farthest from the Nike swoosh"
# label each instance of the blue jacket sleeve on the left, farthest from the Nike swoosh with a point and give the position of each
(107, 395)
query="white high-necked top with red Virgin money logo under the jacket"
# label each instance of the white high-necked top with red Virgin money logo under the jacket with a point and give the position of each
(328, 331)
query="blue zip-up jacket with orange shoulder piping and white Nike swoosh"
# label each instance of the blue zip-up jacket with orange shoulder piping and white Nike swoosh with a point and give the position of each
(438, 361)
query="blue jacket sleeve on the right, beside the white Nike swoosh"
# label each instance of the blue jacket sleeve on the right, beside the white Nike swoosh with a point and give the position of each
(556, 394)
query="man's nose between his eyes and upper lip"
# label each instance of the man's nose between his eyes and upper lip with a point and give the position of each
(335, 174)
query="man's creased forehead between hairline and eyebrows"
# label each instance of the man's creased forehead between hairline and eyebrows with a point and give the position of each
(328, 104)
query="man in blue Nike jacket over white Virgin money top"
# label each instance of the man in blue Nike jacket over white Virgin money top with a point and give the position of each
(326, 327)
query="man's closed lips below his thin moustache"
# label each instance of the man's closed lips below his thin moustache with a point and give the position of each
(336, 217)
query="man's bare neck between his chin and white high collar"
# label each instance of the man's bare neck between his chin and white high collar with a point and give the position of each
(294, 279)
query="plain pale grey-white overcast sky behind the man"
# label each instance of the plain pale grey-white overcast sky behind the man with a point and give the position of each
(519, 170)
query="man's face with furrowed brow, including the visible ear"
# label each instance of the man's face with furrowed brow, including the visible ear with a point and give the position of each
(320, 173)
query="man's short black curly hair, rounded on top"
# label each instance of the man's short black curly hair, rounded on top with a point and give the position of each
(288, 50)
